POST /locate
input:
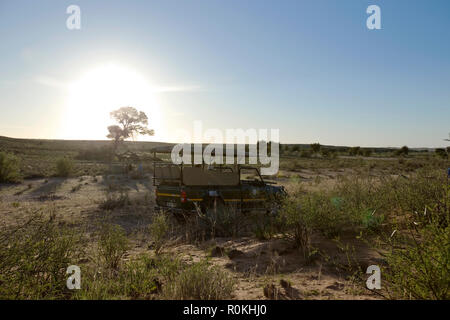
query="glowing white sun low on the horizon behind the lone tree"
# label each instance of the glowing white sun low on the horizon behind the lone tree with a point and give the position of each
(102, 90)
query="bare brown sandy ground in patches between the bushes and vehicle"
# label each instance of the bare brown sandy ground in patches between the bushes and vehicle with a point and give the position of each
(264, 269)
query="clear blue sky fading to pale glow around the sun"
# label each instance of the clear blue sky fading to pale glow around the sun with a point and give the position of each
(309, 68)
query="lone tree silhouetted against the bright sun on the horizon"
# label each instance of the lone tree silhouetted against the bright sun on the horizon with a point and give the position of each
(131, 123)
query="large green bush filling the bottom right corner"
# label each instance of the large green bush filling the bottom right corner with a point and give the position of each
(418, 259)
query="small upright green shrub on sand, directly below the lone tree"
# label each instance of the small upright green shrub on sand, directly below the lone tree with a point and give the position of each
(112, 245)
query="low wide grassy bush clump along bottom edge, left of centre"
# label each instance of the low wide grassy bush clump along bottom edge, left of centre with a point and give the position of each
(163, 275)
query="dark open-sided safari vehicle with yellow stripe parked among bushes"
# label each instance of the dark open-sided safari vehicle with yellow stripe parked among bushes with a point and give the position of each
(189, 188)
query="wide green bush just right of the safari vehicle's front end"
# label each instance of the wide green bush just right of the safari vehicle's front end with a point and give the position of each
(353, 204)
